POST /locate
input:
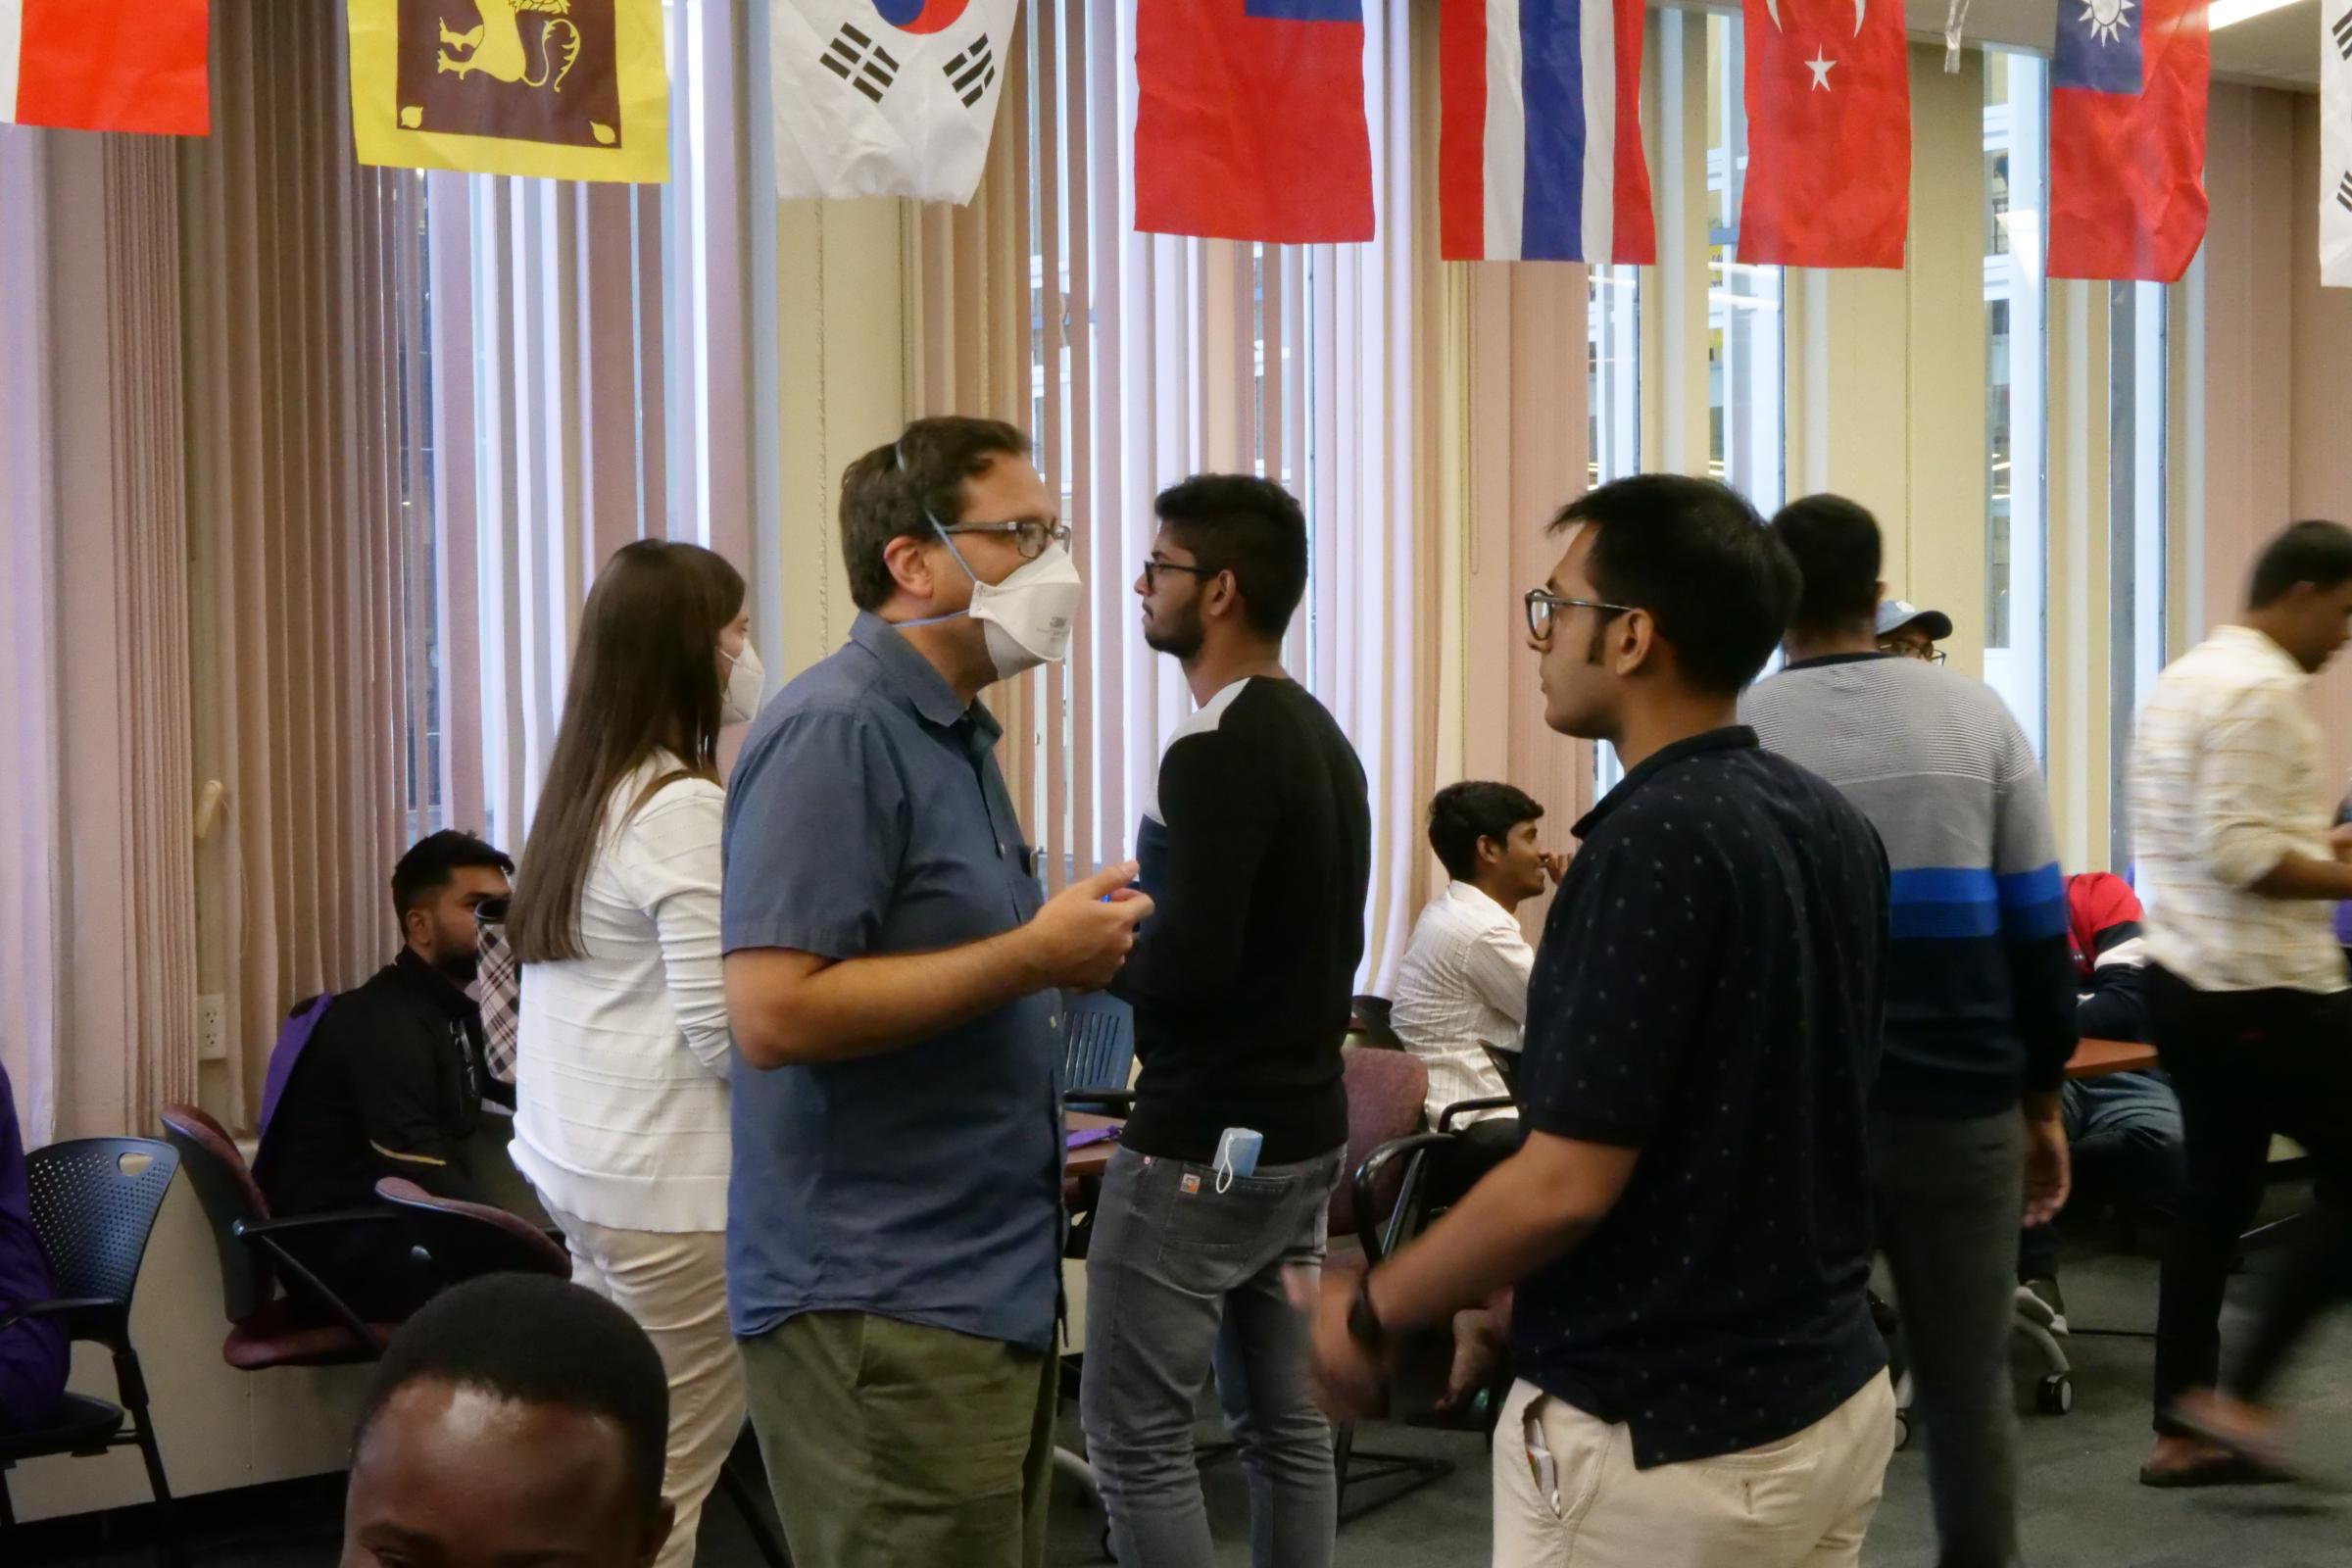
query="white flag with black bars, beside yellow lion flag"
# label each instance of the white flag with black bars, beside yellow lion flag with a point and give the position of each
(888, 98)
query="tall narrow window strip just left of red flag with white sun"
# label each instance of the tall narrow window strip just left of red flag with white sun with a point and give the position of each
(2017, 156)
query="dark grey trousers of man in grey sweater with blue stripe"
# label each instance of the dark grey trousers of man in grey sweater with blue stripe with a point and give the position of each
(1951, 1195)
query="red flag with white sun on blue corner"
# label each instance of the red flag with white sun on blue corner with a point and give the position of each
(2127, 138)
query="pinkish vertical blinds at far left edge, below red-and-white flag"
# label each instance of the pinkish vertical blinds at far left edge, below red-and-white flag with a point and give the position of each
(98, 953)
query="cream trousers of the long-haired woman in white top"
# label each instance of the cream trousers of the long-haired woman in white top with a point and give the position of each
(676, 1287)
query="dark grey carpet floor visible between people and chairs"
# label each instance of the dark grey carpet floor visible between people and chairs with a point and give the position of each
(2080, 1501)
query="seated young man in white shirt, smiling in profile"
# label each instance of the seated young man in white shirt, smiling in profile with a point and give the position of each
(1464, 979)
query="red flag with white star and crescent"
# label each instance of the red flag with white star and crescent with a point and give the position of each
(1829, 133)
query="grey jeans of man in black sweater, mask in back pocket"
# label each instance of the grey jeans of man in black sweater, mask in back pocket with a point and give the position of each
(1180, 1278)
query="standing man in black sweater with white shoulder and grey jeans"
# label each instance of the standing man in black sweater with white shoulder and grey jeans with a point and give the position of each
(1257, 855)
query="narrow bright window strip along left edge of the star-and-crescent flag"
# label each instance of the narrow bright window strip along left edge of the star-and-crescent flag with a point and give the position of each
(1746, 326)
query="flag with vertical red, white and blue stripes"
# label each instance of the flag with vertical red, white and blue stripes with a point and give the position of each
(1539, 133)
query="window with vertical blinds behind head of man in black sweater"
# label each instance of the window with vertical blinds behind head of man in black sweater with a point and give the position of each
(1158, 356)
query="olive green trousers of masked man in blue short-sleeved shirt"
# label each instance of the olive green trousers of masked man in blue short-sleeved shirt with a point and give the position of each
(895, 1447)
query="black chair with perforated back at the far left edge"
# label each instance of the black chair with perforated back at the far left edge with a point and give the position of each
(95, 1202)
